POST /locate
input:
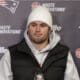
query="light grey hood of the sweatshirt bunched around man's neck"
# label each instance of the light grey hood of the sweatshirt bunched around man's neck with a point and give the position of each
(54, 39)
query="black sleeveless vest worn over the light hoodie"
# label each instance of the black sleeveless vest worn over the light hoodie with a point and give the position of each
(25, 66)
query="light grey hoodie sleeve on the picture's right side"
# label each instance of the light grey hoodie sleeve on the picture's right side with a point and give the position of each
(71, 72)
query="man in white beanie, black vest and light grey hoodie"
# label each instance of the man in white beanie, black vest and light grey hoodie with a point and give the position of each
(39, 56)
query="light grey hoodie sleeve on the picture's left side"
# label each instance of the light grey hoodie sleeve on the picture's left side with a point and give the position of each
(5, 66)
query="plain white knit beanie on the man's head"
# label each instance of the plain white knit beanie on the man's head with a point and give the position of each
(42, 14)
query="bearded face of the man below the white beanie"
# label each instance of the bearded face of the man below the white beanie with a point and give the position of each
(38, 32)
